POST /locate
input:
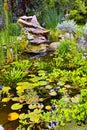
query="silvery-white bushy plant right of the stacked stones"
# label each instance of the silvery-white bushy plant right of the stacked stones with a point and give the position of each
(67, 26)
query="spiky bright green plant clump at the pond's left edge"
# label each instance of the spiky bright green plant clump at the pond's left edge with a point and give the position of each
(15, 73)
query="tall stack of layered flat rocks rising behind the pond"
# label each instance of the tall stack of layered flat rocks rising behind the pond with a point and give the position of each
(36, 36)
